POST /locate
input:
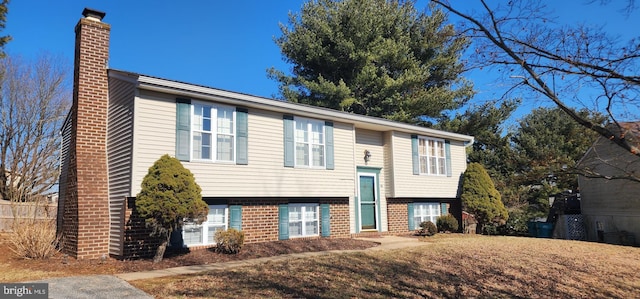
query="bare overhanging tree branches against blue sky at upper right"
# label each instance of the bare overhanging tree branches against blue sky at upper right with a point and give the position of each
(576, 65)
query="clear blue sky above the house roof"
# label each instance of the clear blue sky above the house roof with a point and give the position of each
(222, 44)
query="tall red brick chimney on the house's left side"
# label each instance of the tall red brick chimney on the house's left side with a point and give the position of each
(85, 223)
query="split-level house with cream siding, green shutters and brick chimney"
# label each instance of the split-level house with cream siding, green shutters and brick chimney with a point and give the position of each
(273, 169)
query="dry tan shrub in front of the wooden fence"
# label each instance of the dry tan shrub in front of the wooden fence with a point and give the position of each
(34, 239)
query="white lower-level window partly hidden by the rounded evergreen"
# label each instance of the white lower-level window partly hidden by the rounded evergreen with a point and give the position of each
(202, 234)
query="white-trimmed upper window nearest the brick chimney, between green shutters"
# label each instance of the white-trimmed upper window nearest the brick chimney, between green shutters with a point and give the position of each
(212, 132)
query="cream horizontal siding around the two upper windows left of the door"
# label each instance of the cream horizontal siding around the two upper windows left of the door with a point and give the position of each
(265, 174)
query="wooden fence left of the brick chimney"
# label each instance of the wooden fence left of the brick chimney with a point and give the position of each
(11, 211)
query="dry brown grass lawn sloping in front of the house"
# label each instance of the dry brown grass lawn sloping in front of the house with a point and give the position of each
(450, 266)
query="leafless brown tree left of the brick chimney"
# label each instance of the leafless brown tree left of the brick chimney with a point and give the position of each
(35, 98)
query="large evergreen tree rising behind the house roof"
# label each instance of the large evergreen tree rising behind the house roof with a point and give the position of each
(374, 57)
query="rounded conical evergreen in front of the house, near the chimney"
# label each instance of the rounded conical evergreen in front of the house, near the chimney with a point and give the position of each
(169, 194)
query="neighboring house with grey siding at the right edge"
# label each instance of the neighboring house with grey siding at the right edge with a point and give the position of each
(611, 206)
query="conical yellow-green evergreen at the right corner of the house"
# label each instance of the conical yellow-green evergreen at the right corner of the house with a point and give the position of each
(480, 197)
